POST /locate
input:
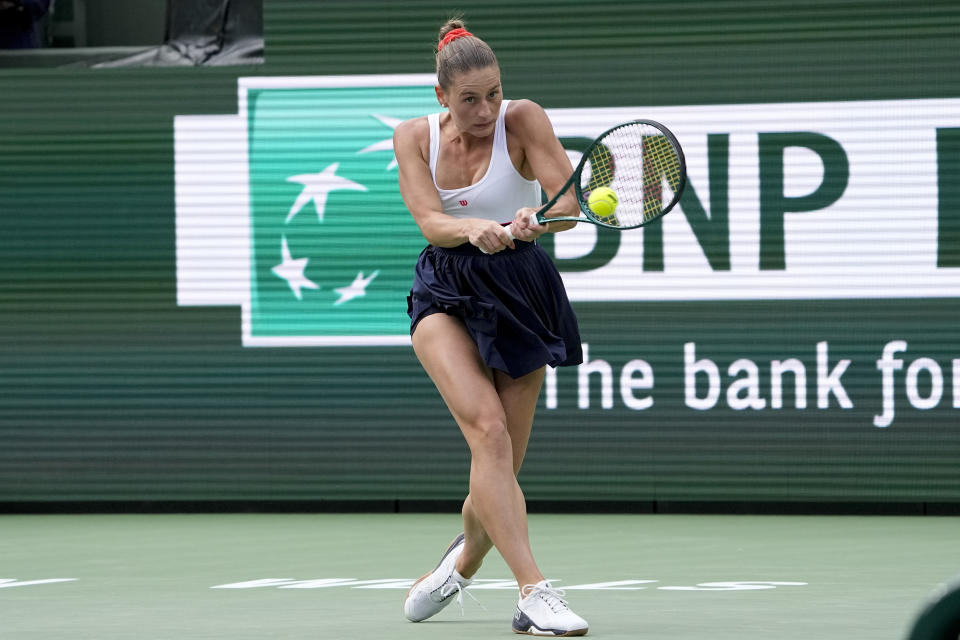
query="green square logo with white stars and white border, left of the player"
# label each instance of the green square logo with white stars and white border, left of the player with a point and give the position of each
(291, 209)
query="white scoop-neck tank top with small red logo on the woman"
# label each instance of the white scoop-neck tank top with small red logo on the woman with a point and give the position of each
(501, 190)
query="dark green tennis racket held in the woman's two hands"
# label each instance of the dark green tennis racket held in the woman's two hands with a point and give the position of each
(634, 159)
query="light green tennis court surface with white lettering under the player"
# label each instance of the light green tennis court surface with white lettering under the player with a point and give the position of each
(345, 576)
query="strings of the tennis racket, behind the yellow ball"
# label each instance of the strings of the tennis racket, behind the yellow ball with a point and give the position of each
(635, 160)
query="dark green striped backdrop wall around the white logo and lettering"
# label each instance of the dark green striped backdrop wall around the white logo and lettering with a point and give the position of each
(111, 391)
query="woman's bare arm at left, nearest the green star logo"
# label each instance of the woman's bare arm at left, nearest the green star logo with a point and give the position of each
(420, 195)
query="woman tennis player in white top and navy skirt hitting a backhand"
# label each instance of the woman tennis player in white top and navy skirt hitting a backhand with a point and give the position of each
(488, 313)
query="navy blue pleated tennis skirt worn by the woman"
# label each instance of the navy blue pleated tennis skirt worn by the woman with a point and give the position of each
(513, 303)
